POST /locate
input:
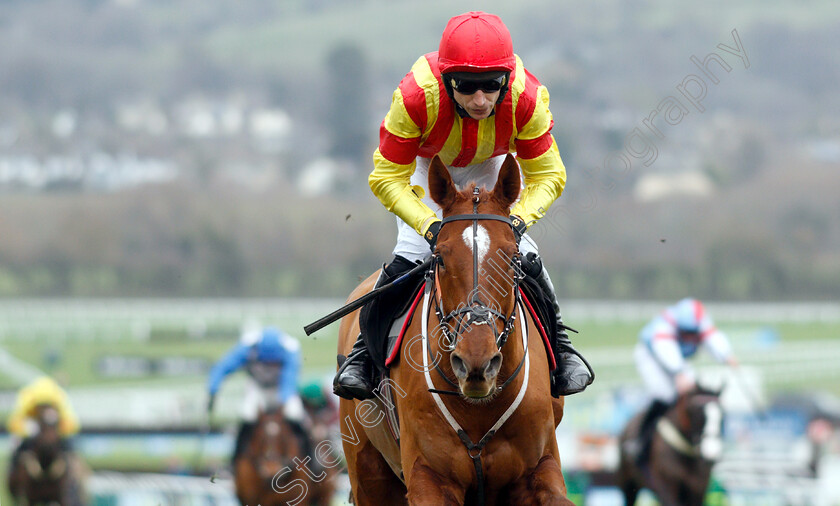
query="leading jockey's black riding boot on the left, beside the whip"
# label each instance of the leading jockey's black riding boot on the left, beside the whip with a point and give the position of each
(354, 379)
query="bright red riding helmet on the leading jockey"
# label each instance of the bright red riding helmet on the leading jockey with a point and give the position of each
(476, 42)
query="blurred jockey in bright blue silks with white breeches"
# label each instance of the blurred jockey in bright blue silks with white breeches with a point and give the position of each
(272, 360)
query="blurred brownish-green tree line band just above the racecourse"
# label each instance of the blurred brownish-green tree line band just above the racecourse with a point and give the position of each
(217, 240)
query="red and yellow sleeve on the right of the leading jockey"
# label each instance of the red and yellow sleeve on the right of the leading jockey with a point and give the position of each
(542, 168)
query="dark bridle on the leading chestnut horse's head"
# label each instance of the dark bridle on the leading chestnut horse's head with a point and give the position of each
(476, 312)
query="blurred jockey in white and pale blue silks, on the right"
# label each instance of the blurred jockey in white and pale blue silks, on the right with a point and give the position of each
(661, 354)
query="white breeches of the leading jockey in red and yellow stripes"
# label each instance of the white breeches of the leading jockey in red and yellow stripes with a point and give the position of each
(411, 245)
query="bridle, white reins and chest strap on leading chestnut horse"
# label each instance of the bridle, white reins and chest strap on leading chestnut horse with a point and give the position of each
(479, 313)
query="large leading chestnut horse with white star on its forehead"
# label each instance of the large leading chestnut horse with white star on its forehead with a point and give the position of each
(491, 440)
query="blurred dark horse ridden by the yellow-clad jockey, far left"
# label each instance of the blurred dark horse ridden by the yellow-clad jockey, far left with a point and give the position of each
(45, 472)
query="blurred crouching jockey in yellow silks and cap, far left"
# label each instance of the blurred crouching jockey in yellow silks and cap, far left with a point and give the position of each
(22, 424)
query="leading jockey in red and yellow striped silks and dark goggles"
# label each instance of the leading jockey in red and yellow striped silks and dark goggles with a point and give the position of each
(471, 102)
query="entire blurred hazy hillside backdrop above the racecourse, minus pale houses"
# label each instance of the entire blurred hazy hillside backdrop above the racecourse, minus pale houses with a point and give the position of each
(768, 230)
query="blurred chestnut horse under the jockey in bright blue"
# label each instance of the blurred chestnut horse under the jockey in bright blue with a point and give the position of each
(274, 470)
